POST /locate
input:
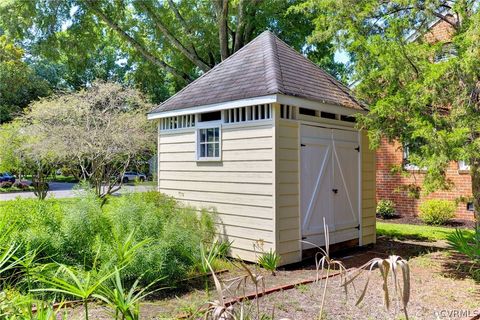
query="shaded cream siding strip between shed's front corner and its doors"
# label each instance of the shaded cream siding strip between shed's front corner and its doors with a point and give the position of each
(287, 183)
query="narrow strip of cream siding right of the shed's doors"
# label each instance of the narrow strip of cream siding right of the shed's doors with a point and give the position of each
(368, 192)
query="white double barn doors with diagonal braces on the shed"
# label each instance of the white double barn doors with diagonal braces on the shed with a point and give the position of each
(329, 184)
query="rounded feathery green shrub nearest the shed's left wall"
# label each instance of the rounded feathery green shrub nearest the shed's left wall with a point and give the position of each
(176, 234)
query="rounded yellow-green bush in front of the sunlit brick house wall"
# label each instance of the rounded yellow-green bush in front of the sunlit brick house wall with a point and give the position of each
(437, 211)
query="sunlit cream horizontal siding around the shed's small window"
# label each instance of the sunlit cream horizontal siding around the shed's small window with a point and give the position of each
(239, 188)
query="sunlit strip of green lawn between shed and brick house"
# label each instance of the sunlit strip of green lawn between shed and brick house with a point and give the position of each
(415, 232)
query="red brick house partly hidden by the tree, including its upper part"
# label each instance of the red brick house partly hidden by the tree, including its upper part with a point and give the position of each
(392, 186)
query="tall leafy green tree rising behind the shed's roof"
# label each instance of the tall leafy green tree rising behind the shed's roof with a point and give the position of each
(157, 45)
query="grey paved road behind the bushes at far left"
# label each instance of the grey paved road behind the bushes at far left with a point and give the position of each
(67, 190)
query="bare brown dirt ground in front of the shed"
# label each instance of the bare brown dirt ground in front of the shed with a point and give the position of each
(441, 288)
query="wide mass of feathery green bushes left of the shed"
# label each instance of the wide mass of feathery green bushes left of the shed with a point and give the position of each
(82, 232)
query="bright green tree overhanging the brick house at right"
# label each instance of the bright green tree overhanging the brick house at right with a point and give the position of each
(424, 94)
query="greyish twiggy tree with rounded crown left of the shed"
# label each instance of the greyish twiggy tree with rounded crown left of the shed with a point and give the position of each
(101, 131)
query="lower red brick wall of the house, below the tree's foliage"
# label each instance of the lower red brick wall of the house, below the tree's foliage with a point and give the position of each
(389, 186)
